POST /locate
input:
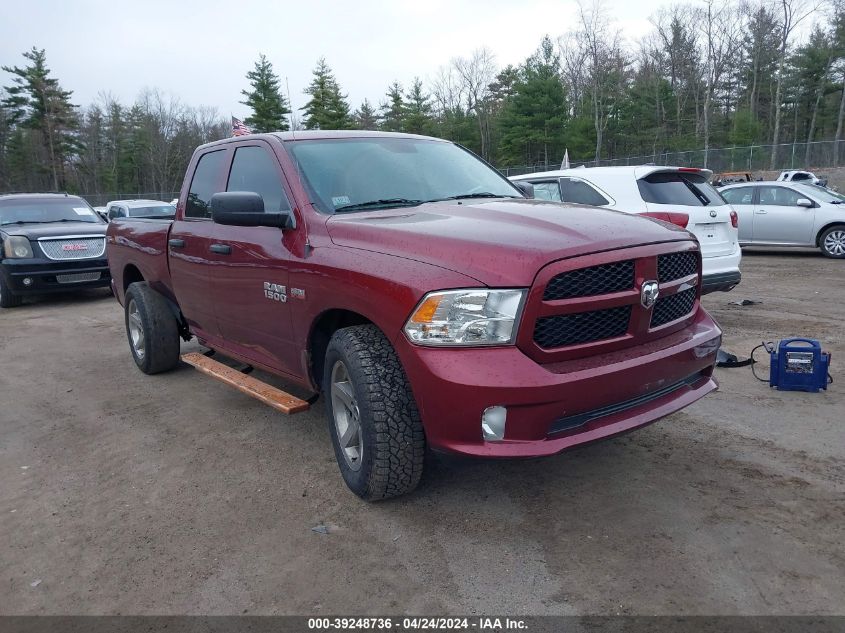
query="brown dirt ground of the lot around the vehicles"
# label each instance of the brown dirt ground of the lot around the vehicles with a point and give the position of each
(127, 494)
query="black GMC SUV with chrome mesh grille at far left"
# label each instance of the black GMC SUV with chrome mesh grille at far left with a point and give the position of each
(49, 243)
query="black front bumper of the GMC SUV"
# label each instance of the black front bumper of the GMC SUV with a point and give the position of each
(43, 275)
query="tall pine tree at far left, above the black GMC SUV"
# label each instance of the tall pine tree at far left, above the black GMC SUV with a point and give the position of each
(36, 102)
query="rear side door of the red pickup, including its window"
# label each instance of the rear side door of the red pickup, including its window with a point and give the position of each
(189, 244)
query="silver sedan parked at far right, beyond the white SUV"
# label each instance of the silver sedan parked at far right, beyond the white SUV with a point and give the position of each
(789, 214)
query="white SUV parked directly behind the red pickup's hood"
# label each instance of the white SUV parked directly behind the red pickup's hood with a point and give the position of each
(680, 195)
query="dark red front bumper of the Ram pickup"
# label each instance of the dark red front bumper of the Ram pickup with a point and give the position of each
(554, 407)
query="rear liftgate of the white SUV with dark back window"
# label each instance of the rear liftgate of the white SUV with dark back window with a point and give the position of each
(687, 191)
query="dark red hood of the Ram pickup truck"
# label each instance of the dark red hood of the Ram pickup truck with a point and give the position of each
(499, 242)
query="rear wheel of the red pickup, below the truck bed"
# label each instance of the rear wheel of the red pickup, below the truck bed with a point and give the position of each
(151, 329)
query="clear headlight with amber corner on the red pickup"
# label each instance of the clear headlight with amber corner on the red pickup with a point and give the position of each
(475, 316)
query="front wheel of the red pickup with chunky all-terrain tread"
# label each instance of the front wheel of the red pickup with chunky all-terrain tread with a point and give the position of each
(384, 457)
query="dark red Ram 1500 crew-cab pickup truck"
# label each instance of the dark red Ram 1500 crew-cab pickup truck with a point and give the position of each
(432, 303)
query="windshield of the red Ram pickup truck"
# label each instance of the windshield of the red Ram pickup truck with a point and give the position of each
(367, 173)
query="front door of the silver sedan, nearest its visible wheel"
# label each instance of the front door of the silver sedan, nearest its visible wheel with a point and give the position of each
(779, 220)
